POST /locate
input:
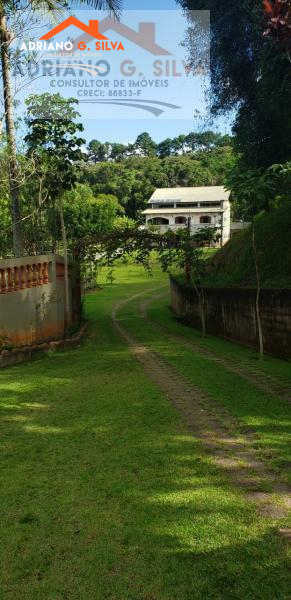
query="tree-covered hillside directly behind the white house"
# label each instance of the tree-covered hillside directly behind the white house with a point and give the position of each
(132, 172)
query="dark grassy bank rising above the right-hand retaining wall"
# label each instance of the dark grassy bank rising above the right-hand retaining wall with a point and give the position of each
(233, 265)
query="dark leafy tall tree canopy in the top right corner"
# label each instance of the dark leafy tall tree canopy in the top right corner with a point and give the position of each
(251, 75)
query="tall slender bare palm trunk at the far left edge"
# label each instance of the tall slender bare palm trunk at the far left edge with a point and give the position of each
(11, 138)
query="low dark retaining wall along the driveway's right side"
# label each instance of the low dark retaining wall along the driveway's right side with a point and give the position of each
(230, 313)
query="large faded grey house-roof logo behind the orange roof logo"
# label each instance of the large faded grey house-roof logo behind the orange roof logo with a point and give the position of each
(144, 37)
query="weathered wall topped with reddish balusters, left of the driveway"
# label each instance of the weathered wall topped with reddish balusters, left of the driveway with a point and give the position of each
(32, 299)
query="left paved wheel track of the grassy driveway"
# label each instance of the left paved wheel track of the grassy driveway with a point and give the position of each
(229, 448)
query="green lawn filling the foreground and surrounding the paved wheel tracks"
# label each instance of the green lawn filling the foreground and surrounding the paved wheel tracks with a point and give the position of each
(104, 493)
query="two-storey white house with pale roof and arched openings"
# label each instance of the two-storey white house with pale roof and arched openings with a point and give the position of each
(206, 206)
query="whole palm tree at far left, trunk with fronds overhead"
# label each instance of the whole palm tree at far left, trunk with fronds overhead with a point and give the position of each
(48, 9)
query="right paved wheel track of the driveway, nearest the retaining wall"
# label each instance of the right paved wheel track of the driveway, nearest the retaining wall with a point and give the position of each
(252, 373)
